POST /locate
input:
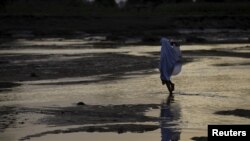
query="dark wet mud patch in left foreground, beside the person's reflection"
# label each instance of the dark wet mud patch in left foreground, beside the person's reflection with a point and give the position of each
(113, 118)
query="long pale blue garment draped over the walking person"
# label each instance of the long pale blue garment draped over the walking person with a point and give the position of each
(170, 60)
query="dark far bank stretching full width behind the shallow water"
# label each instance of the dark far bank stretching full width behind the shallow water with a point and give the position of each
(188, 29)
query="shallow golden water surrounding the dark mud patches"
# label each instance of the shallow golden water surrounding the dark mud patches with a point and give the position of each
(217, 79)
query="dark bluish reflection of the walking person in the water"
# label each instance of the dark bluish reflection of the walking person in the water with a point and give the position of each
(168, 133)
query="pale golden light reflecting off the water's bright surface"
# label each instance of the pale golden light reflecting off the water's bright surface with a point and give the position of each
(202, 89)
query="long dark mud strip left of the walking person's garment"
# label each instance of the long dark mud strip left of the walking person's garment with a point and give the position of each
(37, 67)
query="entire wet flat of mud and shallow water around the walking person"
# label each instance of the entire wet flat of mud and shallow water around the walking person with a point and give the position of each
(71, 89)
